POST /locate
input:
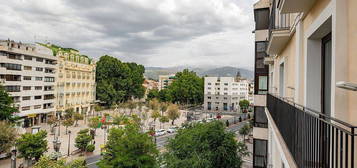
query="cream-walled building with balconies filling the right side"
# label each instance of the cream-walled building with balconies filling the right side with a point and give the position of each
(305, 81)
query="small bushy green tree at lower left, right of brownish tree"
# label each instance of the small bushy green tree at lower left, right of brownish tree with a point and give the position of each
(32, 146)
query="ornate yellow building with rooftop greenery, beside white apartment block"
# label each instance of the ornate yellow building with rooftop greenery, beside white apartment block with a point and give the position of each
(76, 81)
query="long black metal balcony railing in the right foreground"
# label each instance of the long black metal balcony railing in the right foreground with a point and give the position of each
(314, 139)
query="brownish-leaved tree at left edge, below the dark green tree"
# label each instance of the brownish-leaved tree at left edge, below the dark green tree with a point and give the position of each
(8, 136)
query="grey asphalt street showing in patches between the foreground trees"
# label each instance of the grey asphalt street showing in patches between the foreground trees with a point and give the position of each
(162, 141)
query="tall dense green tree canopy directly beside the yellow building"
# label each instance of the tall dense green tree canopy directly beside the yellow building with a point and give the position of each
(118, 81)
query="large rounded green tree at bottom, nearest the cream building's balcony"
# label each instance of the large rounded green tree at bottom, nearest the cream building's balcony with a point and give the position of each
(205, 145)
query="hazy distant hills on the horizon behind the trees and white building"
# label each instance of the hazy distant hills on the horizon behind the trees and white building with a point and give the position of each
(154, 72)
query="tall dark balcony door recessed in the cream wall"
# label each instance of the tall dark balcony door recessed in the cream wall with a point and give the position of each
(326, 65)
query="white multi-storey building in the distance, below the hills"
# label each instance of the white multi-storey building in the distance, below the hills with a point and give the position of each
(224, 93)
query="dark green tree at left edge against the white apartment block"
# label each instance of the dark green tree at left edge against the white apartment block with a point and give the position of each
(6, 106)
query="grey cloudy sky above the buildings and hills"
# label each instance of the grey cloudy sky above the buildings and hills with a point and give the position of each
(150, 32)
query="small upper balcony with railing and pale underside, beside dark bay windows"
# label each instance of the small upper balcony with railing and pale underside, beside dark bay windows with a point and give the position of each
(279, 30)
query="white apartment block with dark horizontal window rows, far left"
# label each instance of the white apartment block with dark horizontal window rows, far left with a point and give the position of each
(28, 73)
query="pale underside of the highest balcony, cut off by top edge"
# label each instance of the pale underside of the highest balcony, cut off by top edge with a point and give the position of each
(294, 6)
